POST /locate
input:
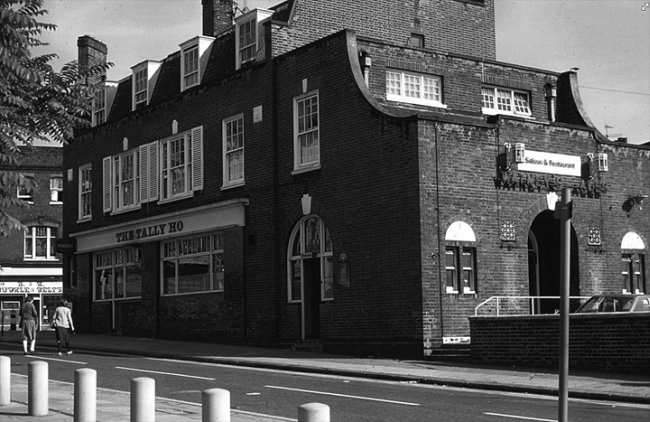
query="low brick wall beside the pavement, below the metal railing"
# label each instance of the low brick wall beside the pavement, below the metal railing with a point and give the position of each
(615, 341)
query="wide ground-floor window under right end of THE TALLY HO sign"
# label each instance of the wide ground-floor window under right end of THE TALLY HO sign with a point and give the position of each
(193, 265)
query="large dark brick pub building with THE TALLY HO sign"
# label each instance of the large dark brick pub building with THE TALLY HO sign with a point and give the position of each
(356, 176)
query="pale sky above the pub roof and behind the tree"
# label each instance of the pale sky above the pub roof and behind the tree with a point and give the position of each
(608, 40)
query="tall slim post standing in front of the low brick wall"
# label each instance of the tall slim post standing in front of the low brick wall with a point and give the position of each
(564, 211)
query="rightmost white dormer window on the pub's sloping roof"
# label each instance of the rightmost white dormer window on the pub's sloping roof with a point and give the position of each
(250, 35)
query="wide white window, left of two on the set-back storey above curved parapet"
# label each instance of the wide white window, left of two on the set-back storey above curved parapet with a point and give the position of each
(416, 88)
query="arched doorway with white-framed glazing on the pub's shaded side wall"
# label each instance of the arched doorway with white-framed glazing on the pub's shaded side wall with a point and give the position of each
(310, 270)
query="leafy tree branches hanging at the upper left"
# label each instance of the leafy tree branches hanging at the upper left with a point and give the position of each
(36, 102)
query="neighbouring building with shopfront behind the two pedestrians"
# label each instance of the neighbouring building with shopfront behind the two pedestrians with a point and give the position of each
(29, 261)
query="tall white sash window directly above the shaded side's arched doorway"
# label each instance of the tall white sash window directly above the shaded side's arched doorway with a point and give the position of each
(306, 131)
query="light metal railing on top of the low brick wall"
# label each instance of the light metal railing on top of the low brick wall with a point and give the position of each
(521, 305)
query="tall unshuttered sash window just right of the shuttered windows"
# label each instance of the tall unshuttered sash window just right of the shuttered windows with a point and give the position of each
(233, 151)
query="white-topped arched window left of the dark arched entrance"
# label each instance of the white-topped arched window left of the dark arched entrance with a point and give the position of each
(460, 258)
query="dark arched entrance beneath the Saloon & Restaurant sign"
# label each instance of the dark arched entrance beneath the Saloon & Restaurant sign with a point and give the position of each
(544, 257)
